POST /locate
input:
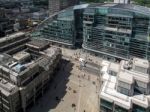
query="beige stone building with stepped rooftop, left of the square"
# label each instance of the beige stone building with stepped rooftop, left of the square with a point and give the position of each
(25, 73)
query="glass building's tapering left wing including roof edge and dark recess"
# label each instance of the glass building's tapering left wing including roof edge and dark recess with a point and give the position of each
(65, 27)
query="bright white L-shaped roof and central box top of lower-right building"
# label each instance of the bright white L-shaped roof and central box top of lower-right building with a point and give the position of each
(110, 93)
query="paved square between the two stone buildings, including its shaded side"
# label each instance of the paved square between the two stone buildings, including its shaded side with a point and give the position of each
(72, 90)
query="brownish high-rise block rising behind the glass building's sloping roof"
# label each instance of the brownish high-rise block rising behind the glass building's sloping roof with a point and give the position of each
(57, 5)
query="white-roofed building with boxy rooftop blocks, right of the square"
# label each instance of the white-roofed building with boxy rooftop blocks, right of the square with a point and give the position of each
(126, 86)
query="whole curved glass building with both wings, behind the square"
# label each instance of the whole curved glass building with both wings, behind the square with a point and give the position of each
(112, 30)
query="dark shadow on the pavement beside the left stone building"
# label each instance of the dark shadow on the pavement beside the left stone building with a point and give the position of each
(56, 90)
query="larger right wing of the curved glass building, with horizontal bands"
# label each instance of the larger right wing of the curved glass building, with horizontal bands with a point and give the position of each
(117, 30)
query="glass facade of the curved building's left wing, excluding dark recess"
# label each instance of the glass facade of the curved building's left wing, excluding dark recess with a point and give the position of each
(61, 29)
